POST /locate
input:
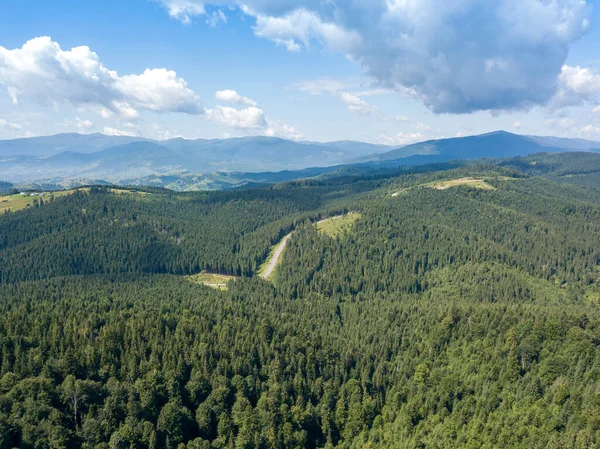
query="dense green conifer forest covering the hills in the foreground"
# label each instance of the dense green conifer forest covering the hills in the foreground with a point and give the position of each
(459, 310)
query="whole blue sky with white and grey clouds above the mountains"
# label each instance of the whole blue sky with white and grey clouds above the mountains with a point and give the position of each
(382, 71)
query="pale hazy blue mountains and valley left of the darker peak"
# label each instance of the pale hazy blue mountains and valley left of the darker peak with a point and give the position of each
(71, 159)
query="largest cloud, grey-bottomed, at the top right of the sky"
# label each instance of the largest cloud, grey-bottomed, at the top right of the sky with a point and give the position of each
(455, 56)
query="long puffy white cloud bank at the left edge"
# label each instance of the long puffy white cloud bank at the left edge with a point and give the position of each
(47, 75)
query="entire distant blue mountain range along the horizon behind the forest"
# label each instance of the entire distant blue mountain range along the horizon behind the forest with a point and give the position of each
(73, 159)
